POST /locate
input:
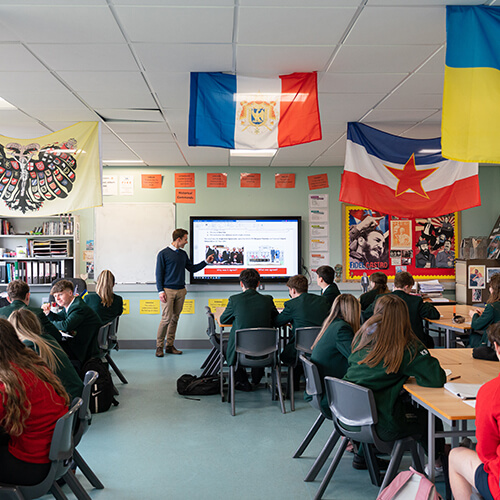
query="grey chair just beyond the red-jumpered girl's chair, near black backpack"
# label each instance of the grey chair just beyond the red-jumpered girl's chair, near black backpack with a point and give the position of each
(84, 420)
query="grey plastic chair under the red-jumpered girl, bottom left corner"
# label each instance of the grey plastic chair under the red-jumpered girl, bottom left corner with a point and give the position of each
(60, 454)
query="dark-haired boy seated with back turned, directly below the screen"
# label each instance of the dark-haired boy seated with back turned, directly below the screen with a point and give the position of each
(249, 309)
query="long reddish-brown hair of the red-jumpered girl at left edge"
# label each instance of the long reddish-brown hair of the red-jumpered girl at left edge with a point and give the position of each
(15, 356)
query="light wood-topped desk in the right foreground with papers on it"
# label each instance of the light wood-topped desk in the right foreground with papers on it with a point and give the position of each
(442, 404)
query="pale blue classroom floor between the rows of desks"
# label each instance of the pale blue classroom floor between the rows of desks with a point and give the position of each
(159, 445)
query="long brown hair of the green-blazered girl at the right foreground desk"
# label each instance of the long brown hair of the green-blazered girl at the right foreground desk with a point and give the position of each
(387, 334)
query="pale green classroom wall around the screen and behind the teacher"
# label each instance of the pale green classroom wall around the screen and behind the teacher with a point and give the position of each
(233, 200)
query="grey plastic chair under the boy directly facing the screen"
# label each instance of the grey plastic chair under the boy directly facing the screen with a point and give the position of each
(257, 347)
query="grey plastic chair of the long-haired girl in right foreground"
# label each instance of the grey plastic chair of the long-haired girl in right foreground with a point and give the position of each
(355, 416)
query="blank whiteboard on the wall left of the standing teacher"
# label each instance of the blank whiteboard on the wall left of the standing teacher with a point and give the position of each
(128, 236)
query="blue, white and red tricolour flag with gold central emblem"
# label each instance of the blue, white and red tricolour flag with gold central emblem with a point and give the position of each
(234, 112)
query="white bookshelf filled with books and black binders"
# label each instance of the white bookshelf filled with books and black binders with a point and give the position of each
(39, 249)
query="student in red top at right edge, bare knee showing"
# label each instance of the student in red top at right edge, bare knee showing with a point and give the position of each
(481, 468)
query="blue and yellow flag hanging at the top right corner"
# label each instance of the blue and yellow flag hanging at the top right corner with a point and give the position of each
(471, 98)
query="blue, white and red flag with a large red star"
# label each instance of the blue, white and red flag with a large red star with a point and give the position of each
(405, 177)
